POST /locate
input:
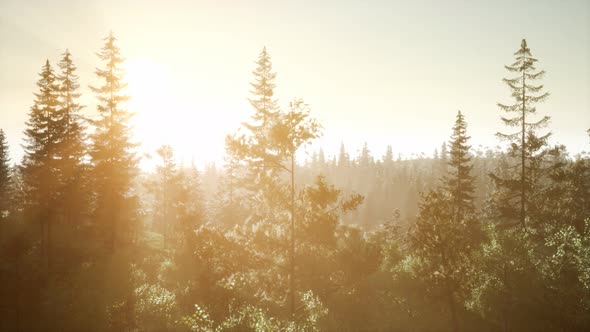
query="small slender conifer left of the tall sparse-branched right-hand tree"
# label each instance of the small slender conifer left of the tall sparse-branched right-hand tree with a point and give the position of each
(459, 182)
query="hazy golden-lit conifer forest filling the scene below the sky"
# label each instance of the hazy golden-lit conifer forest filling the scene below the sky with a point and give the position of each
(463, 240)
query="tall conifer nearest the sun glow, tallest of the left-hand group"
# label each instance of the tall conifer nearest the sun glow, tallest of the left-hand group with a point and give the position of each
(112, 152)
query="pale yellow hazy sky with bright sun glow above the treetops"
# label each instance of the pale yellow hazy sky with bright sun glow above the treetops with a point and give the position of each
(380, 72)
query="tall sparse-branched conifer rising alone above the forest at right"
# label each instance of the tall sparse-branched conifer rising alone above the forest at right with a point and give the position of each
(525, 144)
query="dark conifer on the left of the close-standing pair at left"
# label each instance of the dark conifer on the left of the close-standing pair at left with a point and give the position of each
(41, 175)
